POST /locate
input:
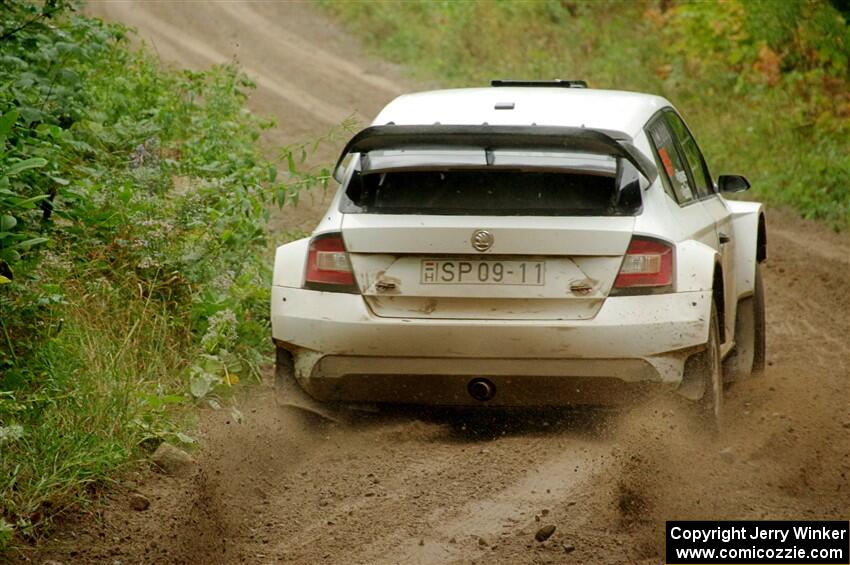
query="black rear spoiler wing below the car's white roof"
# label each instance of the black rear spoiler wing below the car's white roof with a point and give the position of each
(582, 140)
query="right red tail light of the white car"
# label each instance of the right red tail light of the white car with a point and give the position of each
(647, 268)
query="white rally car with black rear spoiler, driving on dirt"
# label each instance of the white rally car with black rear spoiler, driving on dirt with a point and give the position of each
(531, 243)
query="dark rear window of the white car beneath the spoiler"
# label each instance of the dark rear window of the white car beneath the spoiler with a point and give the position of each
(500, 183)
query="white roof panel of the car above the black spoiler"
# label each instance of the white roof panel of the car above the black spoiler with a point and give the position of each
(577, 107)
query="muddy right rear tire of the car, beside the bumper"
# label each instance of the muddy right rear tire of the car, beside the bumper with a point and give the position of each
(706, 366)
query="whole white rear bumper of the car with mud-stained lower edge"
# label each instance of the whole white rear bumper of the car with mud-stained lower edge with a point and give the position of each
(344, 352)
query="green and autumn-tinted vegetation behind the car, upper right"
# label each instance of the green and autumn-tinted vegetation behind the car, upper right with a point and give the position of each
(765, 84)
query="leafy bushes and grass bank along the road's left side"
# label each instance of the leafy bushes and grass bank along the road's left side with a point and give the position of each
(134, 253)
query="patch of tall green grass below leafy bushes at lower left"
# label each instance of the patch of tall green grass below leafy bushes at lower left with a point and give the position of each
(112, 374)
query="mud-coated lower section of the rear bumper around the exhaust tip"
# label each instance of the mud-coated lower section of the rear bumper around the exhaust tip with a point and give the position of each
(444, 382)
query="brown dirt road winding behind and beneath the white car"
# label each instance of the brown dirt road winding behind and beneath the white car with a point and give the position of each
(434, 488)
